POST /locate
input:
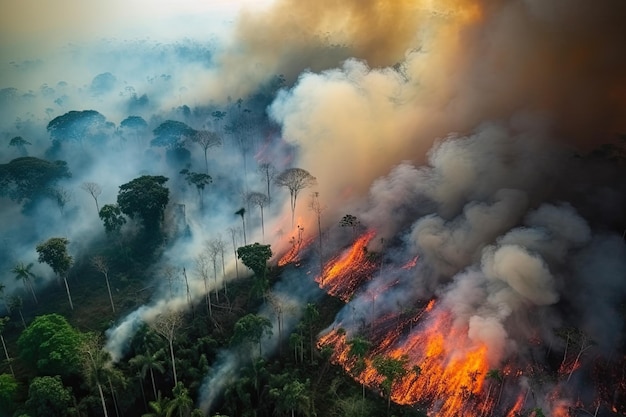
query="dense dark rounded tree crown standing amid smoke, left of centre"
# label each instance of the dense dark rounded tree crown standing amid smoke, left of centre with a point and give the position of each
(144, 197)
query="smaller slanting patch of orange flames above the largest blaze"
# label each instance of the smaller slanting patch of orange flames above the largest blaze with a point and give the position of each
(343, 274)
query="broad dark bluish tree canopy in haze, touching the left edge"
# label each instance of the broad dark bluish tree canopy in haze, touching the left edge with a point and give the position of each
(29, 178)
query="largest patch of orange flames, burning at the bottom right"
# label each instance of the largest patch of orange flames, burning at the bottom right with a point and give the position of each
(443, 367)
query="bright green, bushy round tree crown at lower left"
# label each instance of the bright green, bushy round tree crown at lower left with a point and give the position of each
(51, 345)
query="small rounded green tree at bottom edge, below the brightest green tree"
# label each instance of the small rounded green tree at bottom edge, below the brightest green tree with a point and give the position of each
(47, 396)
